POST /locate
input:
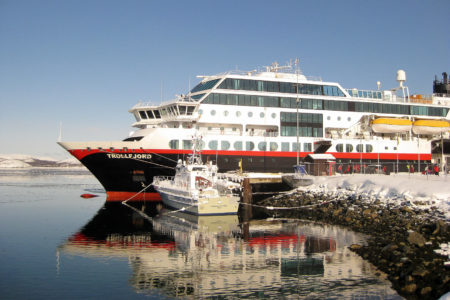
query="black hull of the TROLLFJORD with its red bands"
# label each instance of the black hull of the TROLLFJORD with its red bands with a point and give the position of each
(127, 175)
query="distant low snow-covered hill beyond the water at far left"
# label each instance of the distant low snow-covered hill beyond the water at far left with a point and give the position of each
(18, 161)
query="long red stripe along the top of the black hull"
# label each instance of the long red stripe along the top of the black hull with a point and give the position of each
(80, 154)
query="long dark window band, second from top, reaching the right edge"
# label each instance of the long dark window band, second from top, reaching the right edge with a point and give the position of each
(319, 104)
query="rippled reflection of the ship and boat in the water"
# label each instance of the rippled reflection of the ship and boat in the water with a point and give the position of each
(181, 255)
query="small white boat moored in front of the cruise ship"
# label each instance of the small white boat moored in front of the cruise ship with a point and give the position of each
(196, 188)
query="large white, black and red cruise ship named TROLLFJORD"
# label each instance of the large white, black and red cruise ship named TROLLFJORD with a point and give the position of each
(269, 120)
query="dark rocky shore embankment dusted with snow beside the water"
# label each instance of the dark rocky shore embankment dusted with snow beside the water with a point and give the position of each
(403, 234)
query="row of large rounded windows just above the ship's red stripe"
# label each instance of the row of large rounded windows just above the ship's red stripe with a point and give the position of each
(240, 146)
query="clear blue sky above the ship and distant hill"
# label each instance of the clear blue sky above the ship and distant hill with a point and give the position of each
(85, 63)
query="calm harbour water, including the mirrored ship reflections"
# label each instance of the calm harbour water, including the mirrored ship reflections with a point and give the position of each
(56, 245)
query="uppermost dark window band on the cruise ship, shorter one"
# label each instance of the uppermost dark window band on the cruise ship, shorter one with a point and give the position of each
(280, 87)
